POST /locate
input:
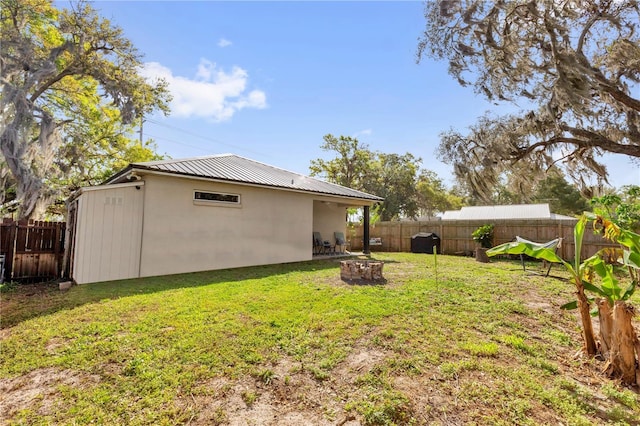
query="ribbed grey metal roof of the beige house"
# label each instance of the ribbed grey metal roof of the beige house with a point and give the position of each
(233, 168)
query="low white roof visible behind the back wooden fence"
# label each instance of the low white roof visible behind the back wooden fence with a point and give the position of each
(516, 211)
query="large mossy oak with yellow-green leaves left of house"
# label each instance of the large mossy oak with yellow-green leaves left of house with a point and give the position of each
(70, 91)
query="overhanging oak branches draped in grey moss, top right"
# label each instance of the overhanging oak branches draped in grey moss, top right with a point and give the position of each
(572, 66)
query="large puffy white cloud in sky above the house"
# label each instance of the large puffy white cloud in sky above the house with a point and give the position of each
(213, 93)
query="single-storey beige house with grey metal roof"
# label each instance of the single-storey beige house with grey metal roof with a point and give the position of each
(205, 213)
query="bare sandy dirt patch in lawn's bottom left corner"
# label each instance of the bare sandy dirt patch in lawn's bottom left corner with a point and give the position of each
(38, 390)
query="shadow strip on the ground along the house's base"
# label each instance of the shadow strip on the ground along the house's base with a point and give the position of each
(29, 301)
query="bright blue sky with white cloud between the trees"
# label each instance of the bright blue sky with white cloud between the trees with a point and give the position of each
(267, 80)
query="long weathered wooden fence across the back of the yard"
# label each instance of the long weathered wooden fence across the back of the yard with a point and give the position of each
(455, 235)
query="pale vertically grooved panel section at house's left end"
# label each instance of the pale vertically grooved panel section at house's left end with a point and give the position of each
(108, 233)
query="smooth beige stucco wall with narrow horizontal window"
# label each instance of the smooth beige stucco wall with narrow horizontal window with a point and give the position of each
(181, 235)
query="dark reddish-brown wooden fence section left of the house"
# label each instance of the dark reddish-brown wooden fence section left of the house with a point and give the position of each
(32, 251)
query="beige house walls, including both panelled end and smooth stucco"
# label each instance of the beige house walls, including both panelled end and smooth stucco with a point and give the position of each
(158, 229)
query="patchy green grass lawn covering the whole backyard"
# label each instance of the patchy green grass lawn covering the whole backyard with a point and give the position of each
(294, 345)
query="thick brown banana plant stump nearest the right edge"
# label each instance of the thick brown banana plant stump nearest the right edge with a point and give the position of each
(624, 344)
